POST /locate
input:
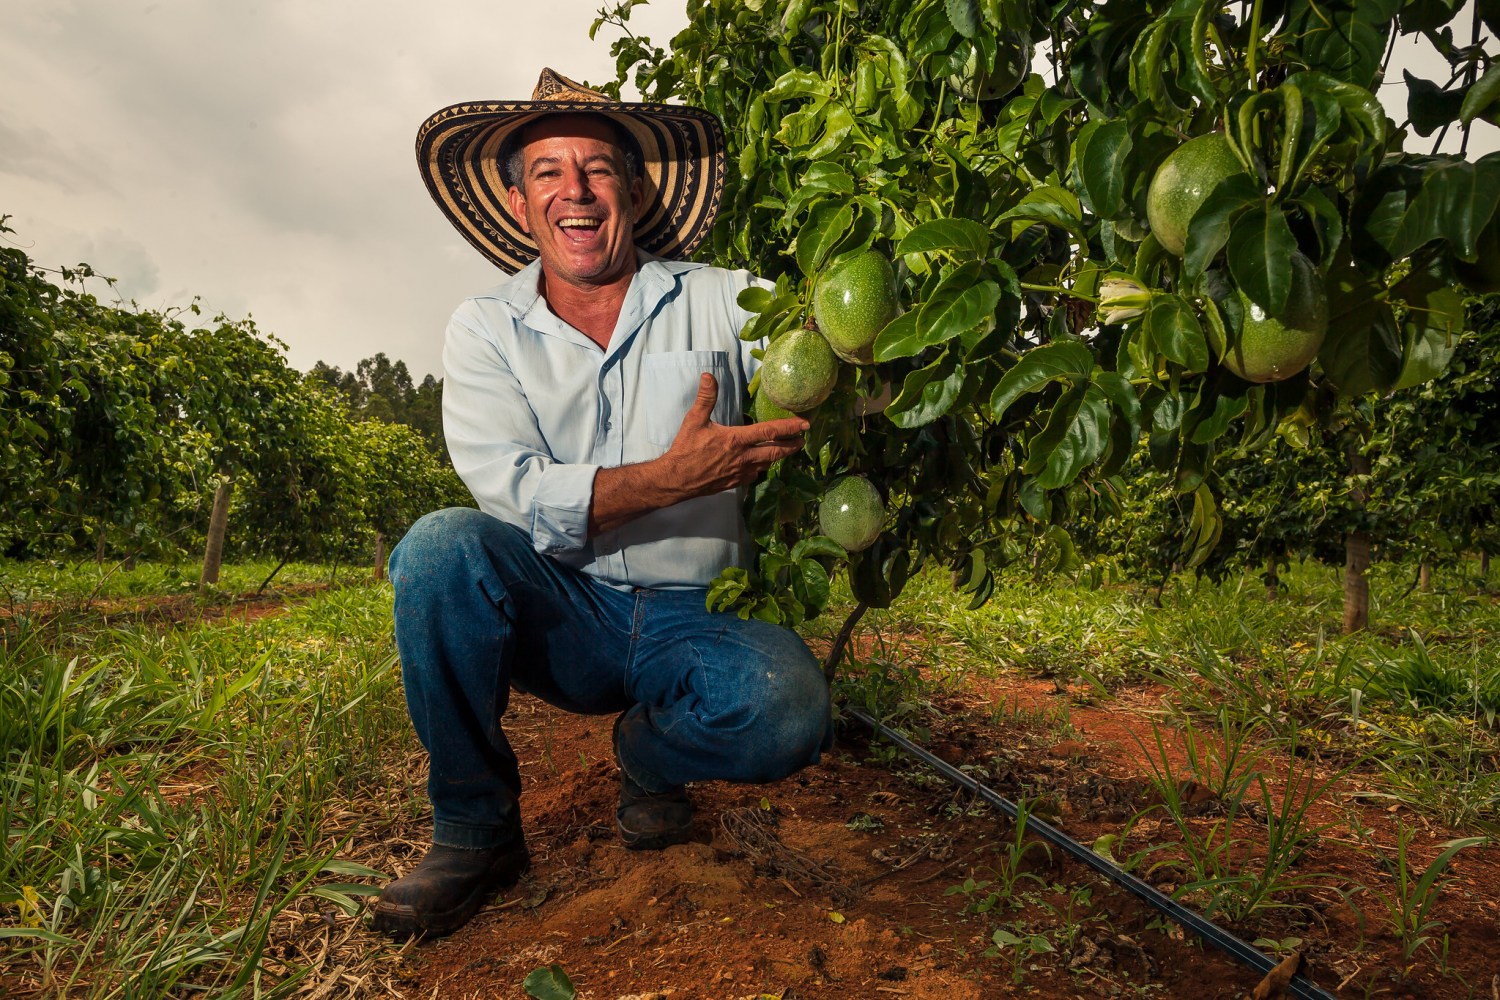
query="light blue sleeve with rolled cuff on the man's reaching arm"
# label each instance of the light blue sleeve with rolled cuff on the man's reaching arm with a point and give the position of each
(499, 449)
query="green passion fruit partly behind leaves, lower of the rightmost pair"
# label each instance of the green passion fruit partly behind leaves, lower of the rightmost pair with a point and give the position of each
(1271, 349)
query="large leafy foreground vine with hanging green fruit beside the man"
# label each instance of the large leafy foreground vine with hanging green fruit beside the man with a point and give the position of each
(1067, 332)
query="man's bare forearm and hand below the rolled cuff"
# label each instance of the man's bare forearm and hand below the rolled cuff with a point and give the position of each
(704, 460)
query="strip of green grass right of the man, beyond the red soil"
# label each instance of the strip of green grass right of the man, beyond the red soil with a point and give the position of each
(1417, 698)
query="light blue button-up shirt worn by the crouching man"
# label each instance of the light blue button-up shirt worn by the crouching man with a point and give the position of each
(533, 409)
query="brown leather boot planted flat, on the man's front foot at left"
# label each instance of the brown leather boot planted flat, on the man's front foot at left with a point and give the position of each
(448, 888)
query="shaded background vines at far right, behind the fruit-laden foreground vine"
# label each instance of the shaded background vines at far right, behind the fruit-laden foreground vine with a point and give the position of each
(1411, 476)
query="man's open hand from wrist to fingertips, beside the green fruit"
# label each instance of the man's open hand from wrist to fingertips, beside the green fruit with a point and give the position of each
(707, 458)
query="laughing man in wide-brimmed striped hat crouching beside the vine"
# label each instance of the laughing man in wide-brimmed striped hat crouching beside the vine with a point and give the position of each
(592, 404)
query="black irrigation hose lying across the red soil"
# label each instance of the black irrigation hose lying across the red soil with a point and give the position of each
(1213, 933)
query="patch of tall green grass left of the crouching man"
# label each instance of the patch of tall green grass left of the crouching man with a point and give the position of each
(172, 798)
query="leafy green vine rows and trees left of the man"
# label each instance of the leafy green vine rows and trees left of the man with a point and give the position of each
(121, 425)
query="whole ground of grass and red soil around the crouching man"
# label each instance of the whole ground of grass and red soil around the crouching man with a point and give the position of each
(200, 795)
